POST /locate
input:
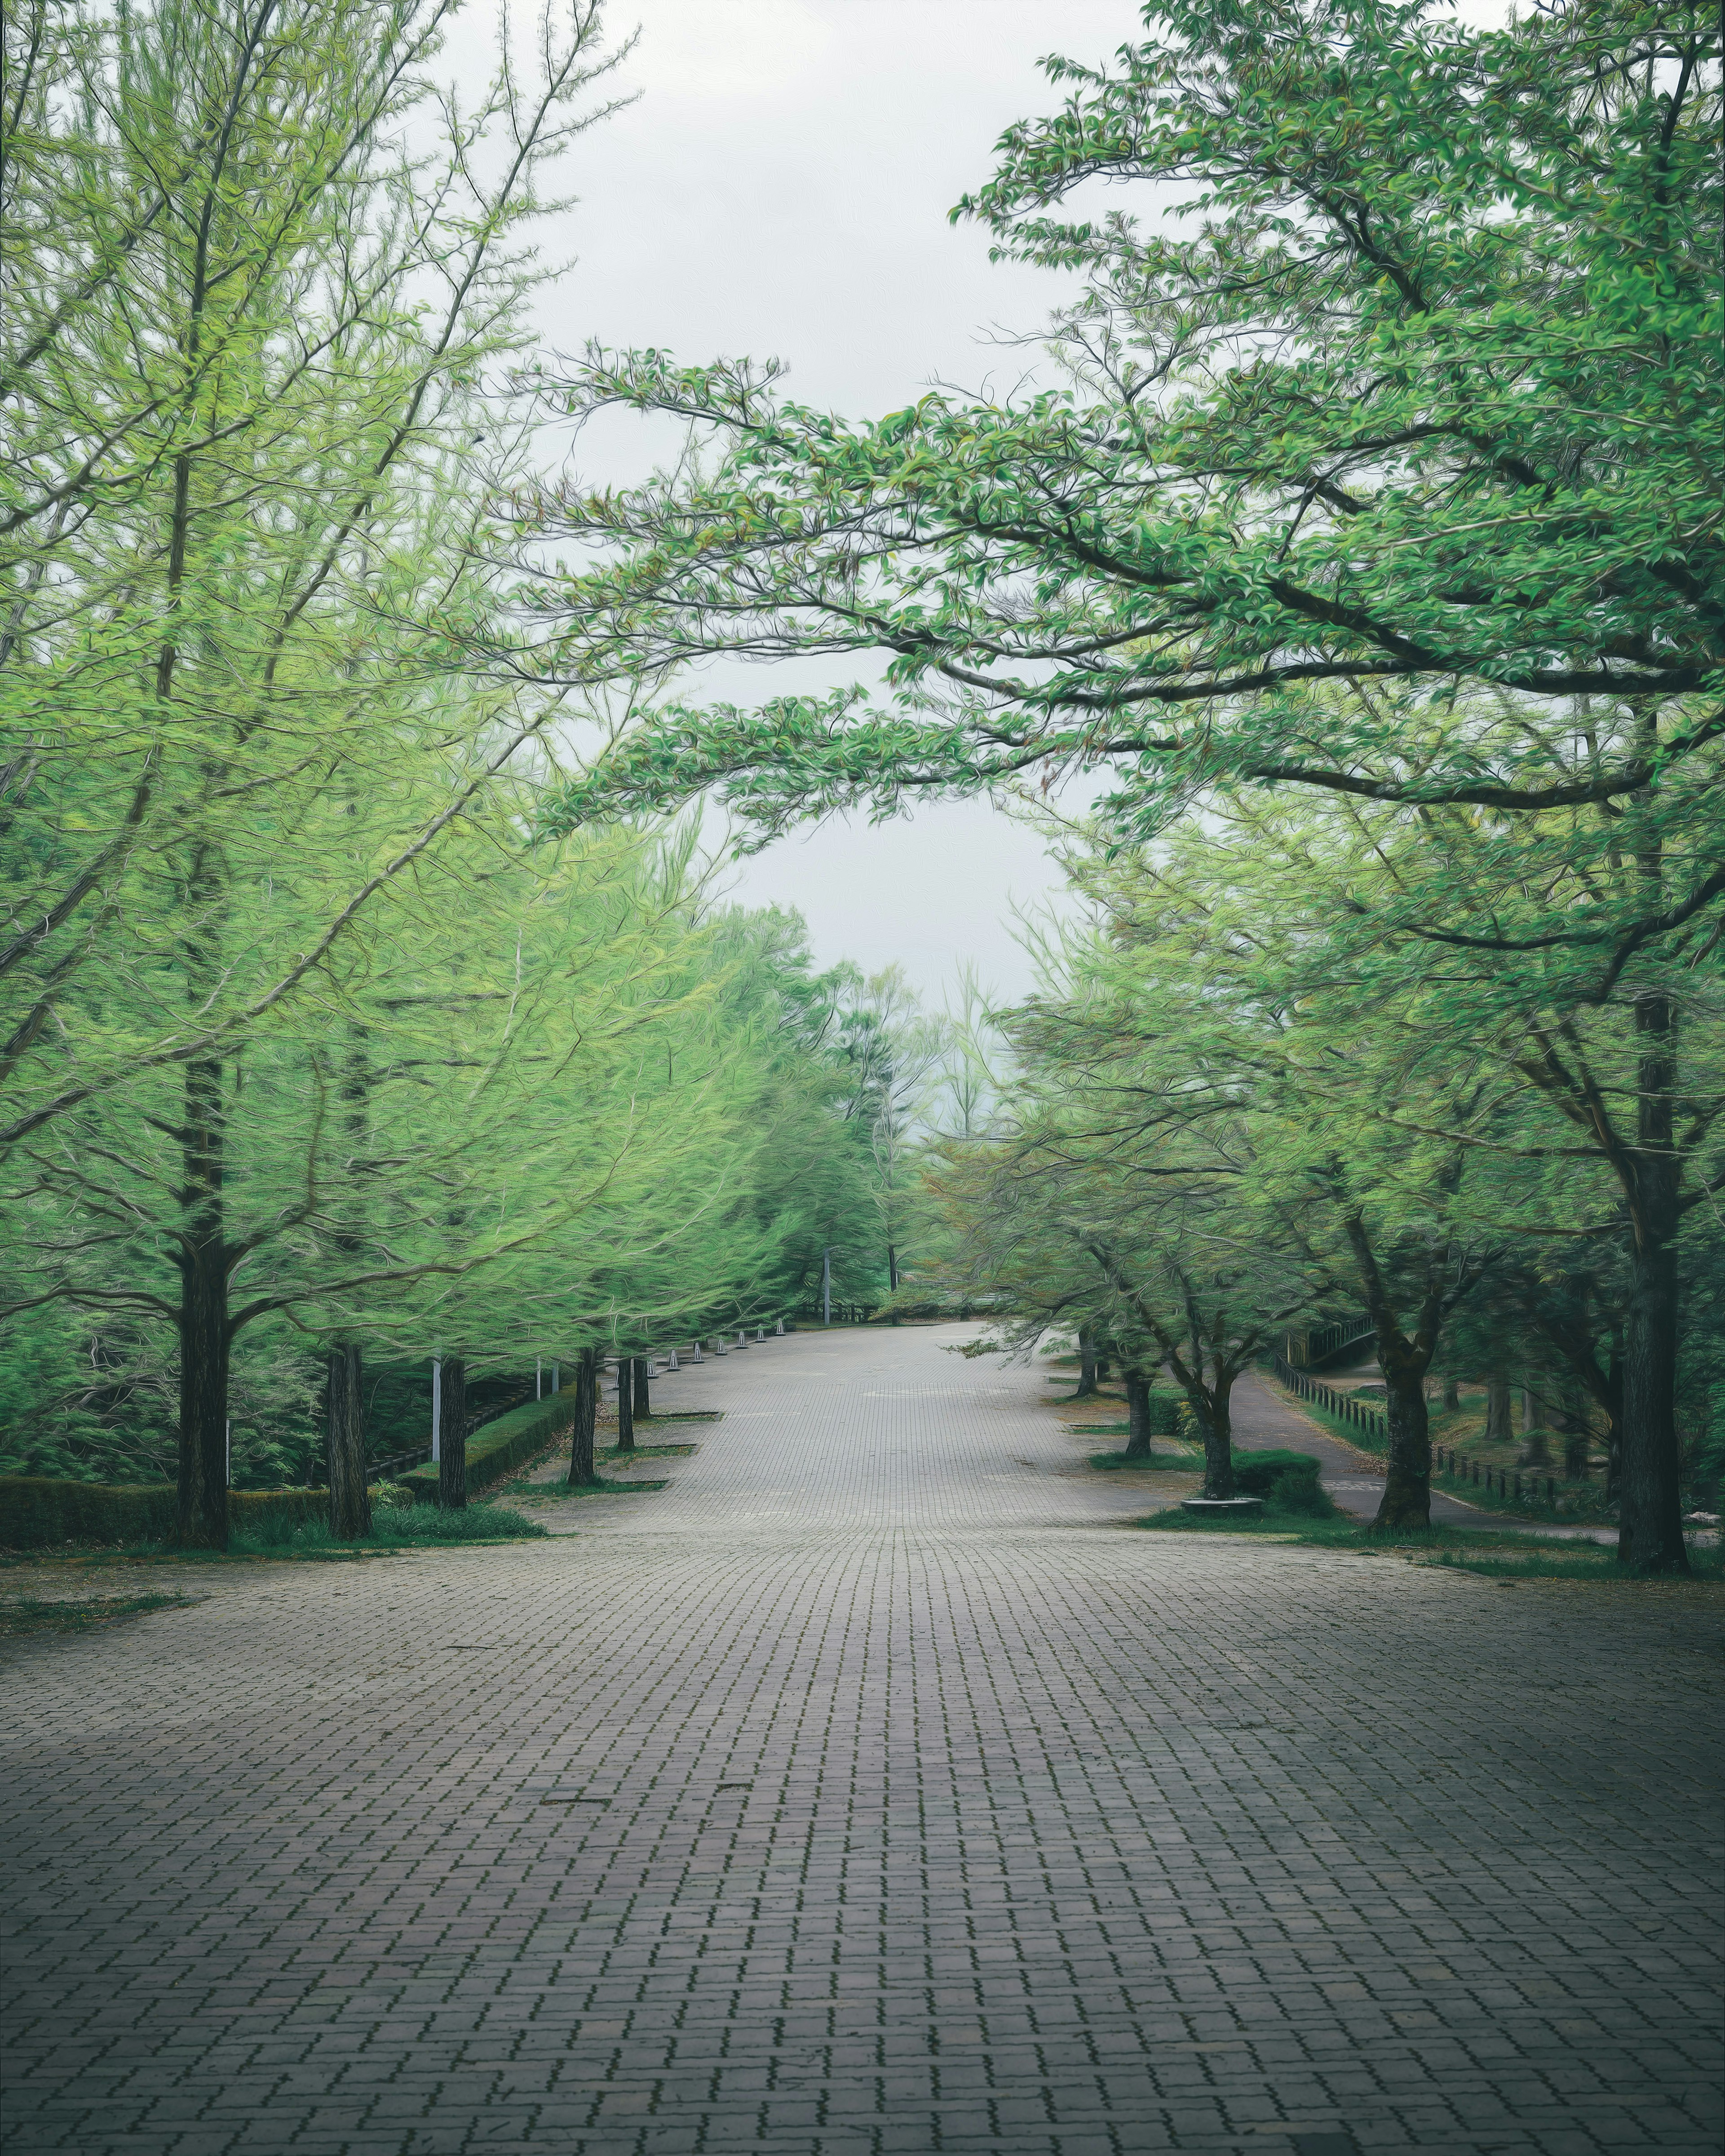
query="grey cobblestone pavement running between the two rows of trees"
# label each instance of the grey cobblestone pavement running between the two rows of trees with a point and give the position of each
(870, 1791)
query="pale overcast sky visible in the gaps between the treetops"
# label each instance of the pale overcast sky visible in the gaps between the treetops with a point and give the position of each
(782, 189)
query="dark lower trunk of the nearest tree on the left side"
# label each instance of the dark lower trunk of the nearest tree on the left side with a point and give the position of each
(204, 1318)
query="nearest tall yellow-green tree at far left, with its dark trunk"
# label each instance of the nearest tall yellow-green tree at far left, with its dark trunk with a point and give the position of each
(247, 333)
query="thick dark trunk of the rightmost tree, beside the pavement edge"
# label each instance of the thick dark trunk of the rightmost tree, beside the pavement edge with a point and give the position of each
(1653, 1530)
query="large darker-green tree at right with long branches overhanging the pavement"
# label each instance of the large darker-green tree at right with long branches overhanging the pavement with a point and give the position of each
(1385, 480)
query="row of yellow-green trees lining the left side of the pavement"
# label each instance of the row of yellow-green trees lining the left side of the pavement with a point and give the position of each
(312, 1045)
